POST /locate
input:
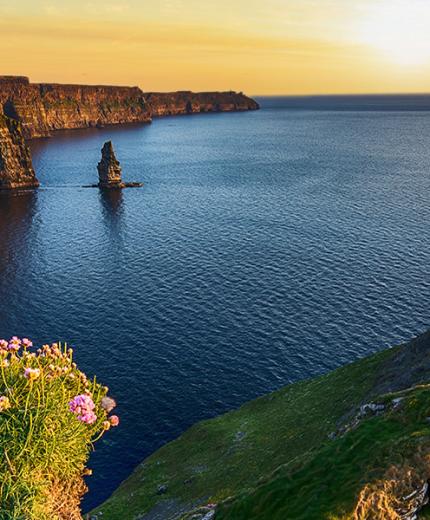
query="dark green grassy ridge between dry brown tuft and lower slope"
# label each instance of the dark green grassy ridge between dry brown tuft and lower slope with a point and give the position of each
(328, 484)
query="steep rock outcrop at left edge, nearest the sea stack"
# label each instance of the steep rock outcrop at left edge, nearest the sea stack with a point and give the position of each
(16, 169)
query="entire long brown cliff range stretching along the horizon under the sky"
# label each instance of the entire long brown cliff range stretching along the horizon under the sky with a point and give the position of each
(44, 107)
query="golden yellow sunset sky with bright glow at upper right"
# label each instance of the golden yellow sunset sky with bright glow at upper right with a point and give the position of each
(256, 46)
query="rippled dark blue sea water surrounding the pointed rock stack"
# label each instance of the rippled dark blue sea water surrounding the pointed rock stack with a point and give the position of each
(265, 247)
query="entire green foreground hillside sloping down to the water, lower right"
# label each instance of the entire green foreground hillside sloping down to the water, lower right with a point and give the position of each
(351, 445)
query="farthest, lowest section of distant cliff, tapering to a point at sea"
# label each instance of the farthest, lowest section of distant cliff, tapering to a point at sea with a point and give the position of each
(184, 102)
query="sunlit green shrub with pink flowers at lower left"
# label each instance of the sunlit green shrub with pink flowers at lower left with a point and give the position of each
(50, 416)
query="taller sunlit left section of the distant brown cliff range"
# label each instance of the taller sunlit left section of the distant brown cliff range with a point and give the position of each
(42, 108)
